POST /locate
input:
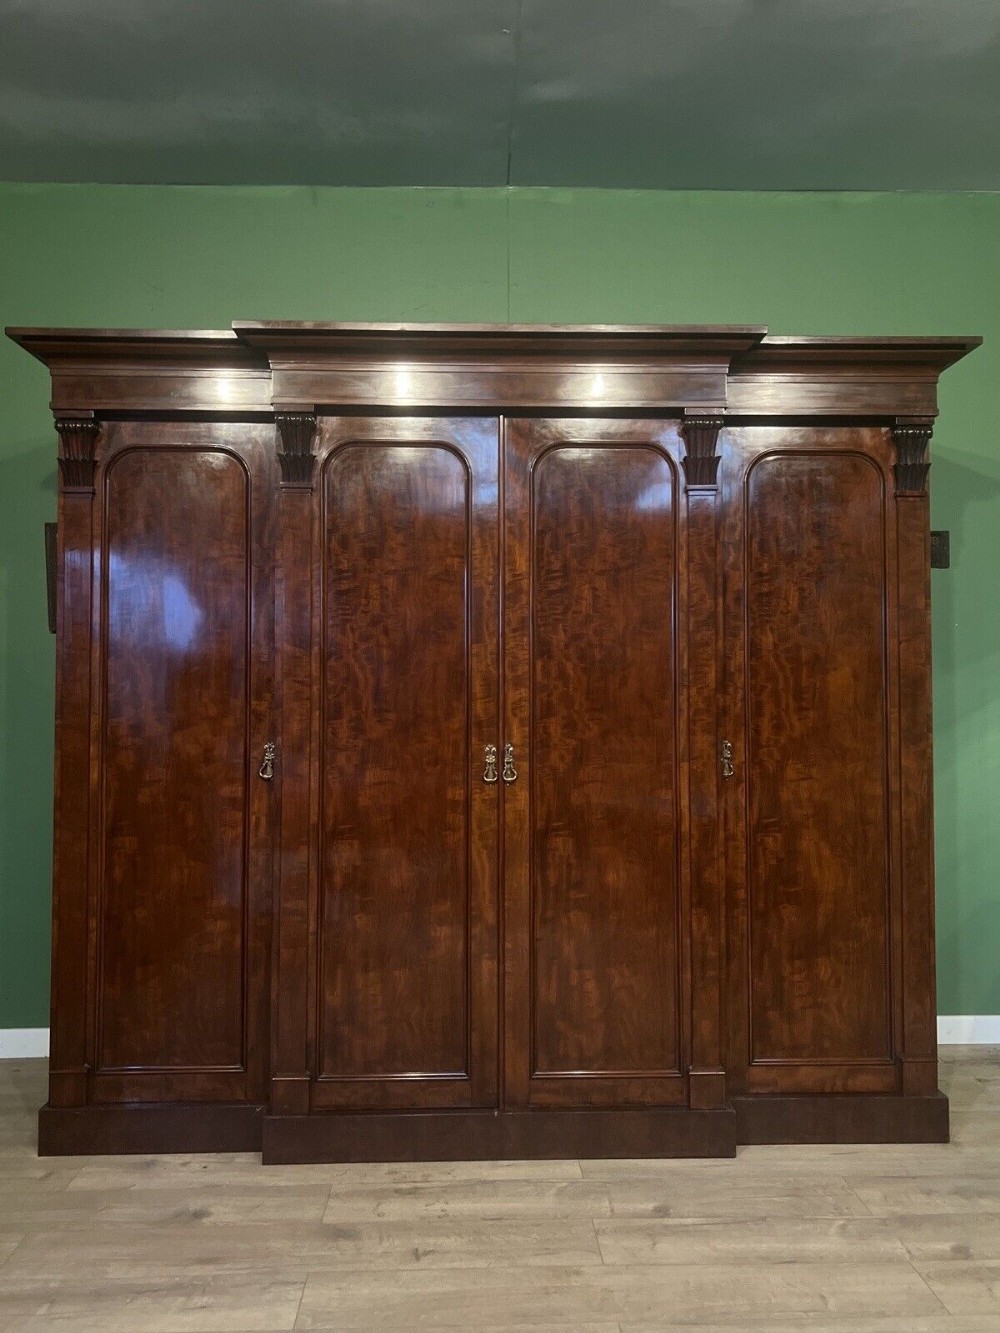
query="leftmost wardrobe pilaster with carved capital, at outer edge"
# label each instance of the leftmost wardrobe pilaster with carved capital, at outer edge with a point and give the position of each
(78, 461)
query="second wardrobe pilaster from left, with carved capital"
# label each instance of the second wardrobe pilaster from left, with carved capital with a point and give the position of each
(294, 613)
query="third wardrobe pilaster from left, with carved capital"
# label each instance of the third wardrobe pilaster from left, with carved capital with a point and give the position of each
(703, 639)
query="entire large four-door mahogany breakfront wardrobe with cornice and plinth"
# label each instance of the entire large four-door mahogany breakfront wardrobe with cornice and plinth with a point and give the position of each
(491, 740)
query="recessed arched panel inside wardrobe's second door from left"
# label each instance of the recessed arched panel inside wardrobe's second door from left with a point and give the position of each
(395, 763)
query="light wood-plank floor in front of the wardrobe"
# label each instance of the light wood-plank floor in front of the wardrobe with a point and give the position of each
(843, 1240)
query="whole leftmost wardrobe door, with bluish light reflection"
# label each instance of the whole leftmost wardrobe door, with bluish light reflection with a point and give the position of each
(181, 856)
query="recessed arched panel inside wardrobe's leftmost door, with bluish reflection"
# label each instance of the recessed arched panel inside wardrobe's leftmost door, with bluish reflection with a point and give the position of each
(175, 760)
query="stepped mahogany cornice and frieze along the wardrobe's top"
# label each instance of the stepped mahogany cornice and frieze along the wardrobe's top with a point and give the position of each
(261, 367)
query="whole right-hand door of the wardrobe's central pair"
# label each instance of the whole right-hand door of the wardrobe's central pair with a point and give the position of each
(594, 954)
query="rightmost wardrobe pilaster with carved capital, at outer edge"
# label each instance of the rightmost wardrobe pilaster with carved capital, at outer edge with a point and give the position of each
(919, 1039)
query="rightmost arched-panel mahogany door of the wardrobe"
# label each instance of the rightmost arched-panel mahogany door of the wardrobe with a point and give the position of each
(813, 878)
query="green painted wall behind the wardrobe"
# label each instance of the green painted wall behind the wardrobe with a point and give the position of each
(162, 257)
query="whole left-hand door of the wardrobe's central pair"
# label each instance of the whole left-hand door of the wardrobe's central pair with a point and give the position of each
(407, 633)
